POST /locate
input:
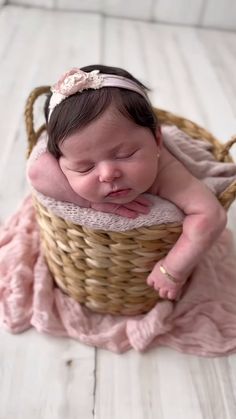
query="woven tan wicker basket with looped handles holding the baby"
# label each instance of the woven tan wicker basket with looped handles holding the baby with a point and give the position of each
(107, 271)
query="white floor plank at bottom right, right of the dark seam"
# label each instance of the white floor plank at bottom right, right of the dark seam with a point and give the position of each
(163, 384)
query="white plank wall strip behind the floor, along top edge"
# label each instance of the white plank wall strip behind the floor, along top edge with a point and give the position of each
(210, 13)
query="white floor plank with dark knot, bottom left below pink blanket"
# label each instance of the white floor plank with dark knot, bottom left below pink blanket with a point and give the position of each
(45, 377)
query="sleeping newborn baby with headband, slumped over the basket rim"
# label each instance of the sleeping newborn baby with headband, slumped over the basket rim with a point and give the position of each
(105, 150)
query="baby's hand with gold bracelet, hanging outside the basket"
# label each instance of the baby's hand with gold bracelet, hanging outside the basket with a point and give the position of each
(163, 285)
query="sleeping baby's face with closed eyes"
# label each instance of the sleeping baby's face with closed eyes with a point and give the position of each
(110, 160)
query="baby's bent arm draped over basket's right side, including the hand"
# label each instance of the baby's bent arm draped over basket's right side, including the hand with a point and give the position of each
(205, 220)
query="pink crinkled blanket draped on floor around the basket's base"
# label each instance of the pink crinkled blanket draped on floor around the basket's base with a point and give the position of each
(203, 322)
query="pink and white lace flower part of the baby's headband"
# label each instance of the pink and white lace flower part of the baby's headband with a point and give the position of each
(72, 82)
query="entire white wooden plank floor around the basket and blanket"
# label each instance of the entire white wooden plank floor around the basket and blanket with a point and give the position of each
(191, 72)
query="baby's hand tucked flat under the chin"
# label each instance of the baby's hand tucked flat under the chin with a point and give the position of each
(140, 205)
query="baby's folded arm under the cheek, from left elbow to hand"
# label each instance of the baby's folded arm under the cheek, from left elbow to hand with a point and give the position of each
(46, 177)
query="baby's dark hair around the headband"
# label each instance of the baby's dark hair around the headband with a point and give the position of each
(80, 109)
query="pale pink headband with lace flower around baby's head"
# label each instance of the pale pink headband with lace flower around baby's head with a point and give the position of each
(76, 80)
